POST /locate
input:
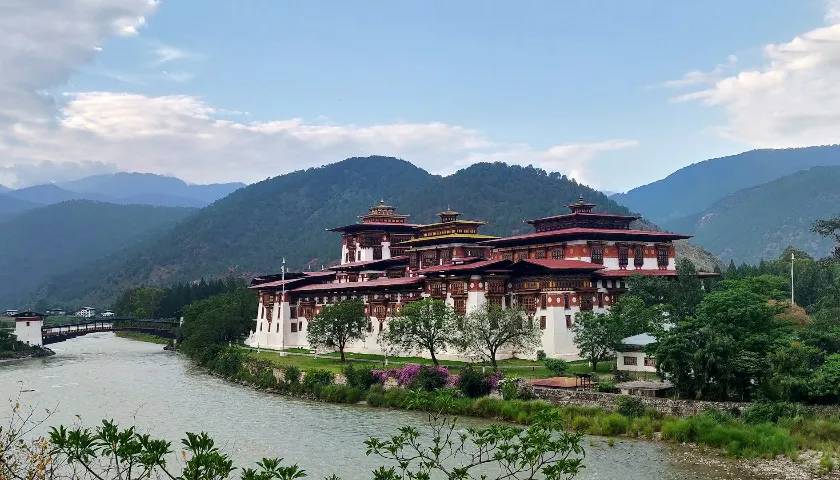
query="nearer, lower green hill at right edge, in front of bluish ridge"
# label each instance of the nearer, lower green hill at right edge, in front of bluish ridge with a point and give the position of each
(760, 222)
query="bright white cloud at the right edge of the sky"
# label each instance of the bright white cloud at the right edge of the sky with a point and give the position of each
(793, 100)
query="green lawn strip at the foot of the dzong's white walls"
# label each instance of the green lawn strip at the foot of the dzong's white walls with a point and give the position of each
(331, 361)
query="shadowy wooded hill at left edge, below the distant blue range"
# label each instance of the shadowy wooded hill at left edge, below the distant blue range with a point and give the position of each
(45, 241)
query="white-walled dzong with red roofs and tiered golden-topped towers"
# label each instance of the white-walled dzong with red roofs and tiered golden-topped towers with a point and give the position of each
(571, 262)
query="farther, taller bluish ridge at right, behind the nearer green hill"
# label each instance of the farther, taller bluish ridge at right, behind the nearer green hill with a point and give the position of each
(692, 189)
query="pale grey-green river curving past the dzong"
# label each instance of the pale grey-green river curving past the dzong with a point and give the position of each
(102, 376)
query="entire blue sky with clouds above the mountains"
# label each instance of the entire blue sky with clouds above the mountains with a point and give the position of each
(615, 94)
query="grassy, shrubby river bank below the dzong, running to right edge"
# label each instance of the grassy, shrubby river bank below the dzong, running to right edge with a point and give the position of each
(797, 448)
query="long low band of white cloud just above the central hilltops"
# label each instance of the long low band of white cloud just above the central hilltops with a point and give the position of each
(184, 136)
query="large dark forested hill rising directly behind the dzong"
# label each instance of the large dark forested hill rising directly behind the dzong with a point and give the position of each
(252, 229)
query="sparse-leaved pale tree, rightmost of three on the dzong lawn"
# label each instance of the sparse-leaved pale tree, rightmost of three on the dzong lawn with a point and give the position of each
(487, 330)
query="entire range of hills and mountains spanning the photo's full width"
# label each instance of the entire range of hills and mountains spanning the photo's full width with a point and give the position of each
(250, 230)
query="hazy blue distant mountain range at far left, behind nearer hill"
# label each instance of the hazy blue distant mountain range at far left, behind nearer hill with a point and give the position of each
(119, 188)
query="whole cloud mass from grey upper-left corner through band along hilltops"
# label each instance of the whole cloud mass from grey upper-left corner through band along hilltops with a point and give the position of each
(47, 139)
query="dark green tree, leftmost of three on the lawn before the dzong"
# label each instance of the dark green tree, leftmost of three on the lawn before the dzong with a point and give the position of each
(337, 324)
